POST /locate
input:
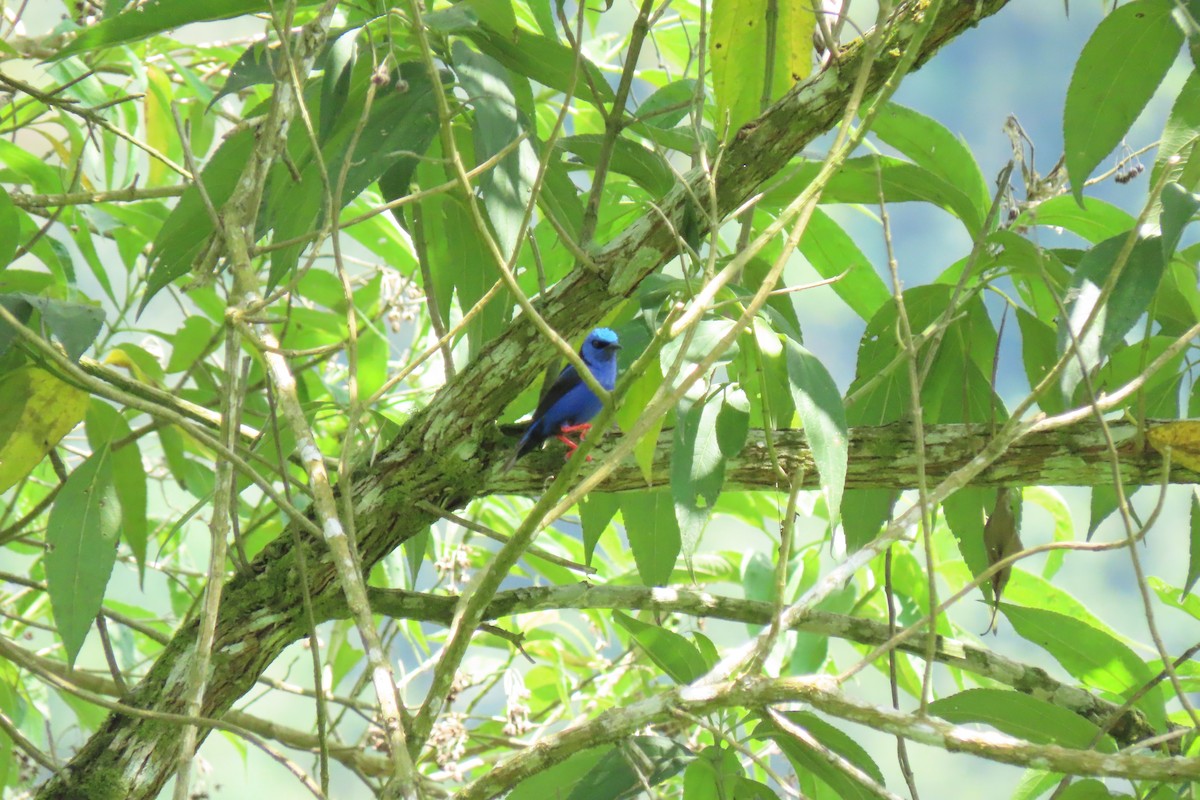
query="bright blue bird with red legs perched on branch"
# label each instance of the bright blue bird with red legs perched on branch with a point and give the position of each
(569, 406)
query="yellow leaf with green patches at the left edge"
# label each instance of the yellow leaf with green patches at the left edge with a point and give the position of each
(37, 411)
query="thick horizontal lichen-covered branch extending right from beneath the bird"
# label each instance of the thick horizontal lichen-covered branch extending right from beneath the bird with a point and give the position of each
(885, 459)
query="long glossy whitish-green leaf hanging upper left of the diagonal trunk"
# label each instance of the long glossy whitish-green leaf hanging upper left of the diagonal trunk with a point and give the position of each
(507, 188)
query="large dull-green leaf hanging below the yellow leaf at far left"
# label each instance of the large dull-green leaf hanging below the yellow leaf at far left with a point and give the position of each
(81, 539)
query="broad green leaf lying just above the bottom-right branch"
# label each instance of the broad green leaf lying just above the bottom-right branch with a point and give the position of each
(1021, 715)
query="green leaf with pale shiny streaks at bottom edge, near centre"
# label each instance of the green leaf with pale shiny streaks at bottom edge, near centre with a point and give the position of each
(634, 763)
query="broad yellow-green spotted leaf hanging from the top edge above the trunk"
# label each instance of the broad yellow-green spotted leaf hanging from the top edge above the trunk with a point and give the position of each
(739, 52)
